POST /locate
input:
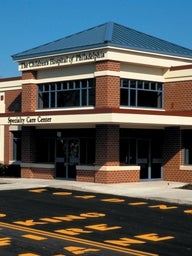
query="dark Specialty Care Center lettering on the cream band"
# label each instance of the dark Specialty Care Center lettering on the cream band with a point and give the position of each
(19, 120)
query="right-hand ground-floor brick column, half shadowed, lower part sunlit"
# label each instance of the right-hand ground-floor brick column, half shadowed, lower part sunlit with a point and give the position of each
(172, 154)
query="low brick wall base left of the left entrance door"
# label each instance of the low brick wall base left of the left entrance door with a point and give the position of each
(38, 173)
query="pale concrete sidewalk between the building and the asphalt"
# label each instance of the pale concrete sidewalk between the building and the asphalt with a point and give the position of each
(157, 190)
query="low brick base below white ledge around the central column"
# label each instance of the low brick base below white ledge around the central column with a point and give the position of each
(108, 176)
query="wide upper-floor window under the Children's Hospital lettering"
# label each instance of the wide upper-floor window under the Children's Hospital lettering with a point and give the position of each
(78, 93)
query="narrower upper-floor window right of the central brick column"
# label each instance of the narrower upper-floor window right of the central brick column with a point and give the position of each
(138, 93)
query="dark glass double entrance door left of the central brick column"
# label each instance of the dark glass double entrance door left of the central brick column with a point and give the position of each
(67, 157)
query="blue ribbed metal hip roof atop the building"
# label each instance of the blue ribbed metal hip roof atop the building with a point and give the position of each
(107, 34)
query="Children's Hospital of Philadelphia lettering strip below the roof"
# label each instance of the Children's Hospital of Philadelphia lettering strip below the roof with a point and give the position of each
(61, 60)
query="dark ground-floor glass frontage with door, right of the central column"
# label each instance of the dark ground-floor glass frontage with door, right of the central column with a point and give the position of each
(144, 149)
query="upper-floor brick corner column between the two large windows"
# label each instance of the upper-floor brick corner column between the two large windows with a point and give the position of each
(108, 85)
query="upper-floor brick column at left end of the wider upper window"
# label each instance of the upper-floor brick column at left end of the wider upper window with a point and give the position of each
(29, 92)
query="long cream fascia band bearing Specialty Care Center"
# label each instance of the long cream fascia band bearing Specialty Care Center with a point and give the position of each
(105, 118)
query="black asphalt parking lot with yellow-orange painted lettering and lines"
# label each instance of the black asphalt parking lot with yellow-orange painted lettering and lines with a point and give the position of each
(55, 222)
